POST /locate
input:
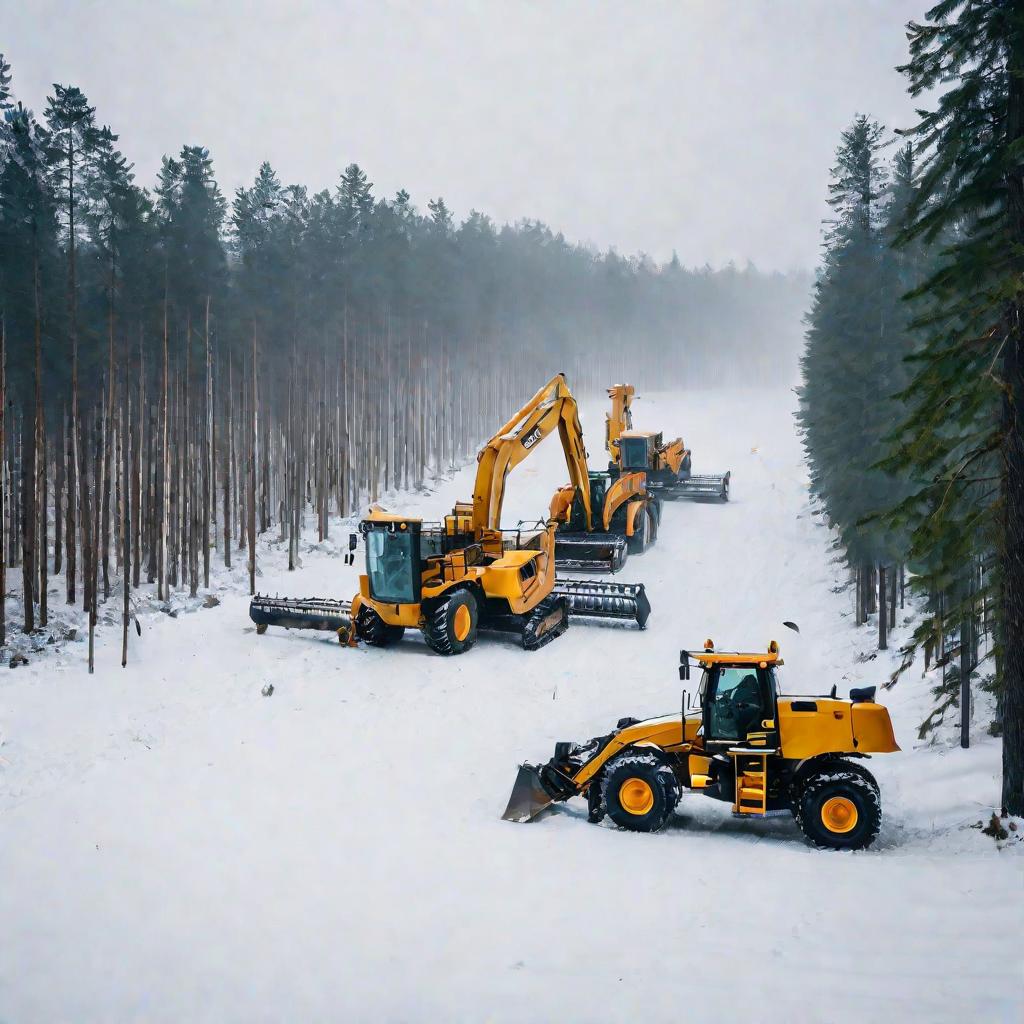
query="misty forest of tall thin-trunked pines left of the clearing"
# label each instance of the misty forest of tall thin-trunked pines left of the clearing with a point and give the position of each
(185, 372)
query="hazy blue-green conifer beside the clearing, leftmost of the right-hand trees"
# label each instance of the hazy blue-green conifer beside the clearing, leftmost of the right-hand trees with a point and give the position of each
(852, 364)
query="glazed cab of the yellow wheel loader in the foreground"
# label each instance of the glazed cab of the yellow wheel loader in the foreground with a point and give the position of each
(739, 705)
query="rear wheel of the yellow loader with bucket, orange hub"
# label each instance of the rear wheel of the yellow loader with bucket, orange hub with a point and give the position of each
(849, 785)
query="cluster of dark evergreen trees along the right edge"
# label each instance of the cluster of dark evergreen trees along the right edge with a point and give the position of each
(914, 368)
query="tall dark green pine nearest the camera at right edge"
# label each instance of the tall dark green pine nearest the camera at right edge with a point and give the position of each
(965, 436)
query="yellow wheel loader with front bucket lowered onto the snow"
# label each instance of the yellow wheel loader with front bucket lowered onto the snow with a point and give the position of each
(744, 743)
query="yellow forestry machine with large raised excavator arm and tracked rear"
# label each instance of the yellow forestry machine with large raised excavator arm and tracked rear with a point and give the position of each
(451, 579)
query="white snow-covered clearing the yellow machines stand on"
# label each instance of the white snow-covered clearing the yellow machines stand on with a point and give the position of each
(177, 847)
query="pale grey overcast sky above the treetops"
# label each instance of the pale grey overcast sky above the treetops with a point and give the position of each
(705, 127)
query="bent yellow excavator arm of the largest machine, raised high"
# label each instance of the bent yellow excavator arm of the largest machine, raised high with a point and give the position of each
(552, 408)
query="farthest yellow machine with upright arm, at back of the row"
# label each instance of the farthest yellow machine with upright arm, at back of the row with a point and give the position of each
(667, 464)
